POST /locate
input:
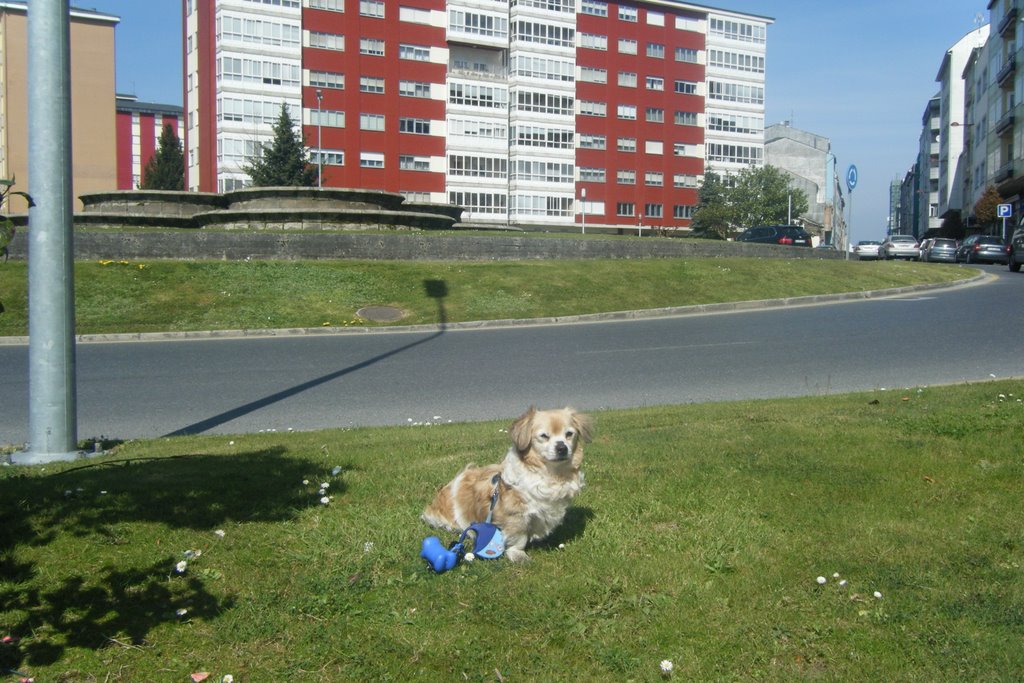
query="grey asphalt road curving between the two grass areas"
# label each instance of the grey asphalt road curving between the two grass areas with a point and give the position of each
(149, 390)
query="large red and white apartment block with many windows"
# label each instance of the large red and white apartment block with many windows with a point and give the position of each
(527, 113)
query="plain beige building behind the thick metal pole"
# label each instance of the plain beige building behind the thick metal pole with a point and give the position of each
(93, 92)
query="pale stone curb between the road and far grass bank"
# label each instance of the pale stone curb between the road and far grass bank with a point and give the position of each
(669, 312)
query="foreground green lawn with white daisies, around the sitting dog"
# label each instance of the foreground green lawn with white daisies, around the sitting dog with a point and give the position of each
(699, 540)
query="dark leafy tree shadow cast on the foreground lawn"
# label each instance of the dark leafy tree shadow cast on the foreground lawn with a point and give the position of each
(122, 605)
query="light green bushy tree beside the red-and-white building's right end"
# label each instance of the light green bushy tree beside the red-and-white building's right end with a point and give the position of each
(762, 196)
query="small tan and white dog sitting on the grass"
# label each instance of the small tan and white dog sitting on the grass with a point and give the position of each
(540, 477)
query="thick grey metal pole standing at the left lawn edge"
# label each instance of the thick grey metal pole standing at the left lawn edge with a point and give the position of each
(53, 410)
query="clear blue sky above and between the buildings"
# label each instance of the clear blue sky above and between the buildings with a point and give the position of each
(858, 72)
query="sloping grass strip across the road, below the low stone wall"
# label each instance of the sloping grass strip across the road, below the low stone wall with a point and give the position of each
(159, 296)
